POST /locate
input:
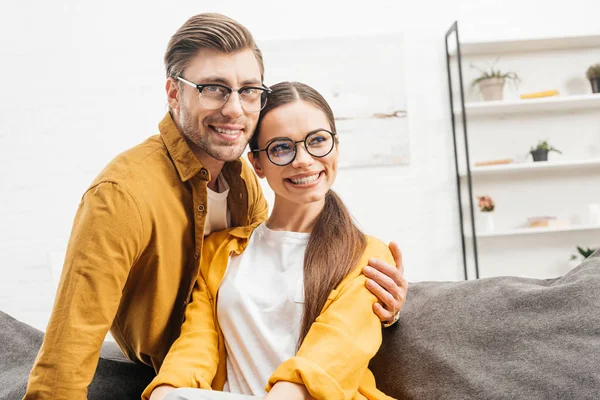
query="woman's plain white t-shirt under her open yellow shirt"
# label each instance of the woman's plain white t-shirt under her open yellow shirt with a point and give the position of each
(259, 307)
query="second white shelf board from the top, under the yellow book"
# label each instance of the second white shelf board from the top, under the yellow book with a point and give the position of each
(543, 104)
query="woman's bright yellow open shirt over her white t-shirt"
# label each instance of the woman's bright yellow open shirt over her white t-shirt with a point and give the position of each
(332, 362)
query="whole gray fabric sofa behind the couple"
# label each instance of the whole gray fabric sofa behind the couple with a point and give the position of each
(495, 338)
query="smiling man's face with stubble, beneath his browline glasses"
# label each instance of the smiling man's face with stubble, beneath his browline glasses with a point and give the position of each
(222, 133)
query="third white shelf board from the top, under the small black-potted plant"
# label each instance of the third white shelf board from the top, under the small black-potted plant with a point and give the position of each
(503, 169)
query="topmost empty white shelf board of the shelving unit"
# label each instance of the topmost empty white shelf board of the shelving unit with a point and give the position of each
(469, 47)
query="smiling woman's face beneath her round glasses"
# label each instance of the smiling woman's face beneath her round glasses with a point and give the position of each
(306, 179)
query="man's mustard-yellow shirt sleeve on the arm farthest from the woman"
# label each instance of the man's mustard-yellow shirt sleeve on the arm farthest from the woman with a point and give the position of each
(107, 237)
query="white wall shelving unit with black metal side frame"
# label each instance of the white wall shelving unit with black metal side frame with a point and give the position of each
(544, 60)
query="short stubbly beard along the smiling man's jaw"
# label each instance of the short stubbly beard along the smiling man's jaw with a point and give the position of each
(190, 127)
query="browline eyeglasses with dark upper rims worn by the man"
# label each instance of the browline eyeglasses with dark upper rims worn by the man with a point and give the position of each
(214, 95)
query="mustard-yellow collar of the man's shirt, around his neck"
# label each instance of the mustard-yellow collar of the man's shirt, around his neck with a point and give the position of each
(184, 159)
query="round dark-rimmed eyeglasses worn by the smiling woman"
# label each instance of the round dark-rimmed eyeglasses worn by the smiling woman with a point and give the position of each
(282, 151)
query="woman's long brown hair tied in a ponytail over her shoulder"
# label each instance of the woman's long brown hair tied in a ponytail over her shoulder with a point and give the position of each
(335, 243)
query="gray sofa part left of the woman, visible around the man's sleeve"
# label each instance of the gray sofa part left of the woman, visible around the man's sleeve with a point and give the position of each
(115, 378)
